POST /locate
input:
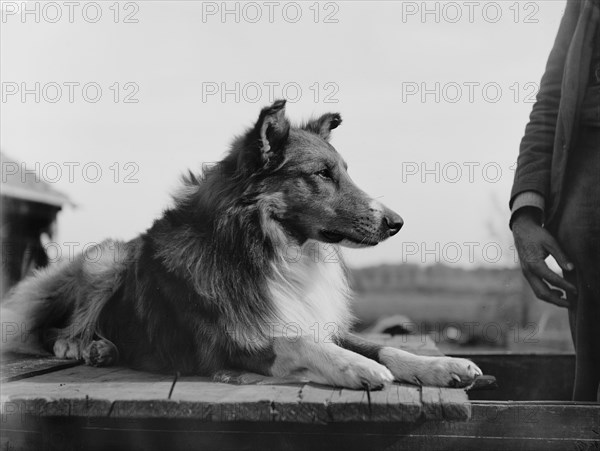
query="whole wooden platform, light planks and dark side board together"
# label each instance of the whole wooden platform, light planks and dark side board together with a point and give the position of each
(80, 407)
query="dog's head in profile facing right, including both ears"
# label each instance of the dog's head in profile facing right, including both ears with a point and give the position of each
(305, 182)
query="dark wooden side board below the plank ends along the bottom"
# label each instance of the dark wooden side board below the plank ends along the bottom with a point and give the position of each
(493, 426)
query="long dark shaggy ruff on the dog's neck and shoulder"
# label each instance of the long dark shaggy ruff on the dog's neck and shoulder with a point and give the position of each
(220, 238)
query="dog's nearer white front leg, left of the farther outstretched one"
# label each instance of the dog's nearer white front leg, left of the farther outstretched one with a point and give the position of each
(326, 363)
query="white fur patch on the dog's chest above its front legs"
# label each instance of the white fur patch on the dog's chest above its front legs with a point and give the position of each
(310, 293)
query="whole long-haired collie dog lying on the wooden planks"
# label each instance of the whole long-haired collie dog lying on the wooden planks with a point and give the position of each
(243, 275)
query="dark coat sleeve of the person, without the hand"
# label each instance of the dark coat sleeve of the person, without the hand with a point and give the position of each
(535, 153)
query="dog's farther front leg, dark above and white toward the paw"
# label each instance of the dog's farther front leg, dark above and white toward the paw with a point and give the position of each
(416, 369)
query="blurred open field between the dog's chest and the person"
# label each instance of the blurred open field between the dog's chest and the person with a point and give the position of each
(470, 321)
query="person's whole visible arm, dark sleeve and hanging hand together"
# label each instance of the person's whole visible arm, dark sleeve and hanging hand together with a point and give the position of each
(531, 186)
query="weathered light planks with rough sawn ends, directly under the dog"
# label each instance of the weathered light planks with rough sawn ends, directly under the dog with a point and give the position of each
(82, 391)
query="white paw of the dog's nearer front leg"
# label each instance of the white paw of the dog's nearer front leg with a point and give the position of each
(361, 372)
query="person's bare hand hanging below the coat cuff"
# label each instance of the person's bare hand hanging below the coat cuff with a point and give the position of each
(534, 243)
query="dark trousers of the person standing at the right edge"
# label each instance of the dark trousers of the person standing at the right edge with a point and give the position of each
(579, 235)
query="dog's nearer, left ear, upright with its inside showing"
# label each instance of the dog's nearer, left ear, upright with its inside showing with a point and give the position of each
(272, 129)
